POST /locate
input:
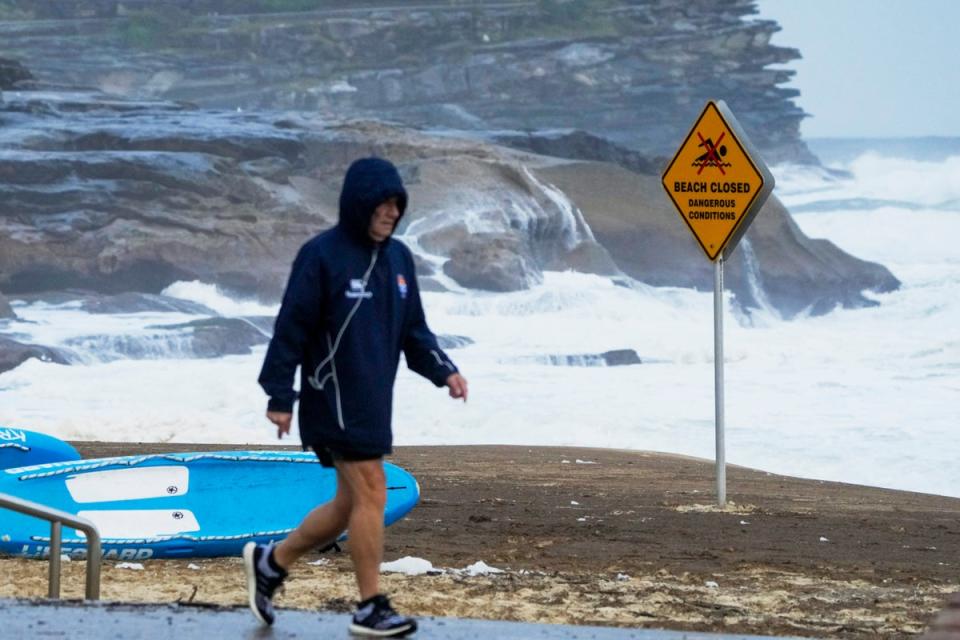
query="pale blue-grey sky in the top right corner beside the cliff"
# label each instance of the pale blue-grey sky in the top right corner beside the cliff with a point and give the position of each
(873, 68)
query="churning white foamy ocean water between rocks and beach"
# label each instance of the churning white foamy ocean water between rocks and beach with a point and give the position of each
(868, 396)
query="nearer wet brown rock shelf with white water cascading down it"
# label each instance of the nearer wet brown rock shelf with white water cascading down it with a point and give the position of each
(112, 195)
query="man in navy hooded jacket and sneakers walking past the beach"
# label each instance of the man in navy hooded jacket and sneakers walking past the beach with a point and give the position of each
(351, 306)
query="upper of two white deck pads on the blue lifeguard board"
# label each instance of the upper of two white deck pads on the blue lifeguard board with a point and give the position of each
(129, 484)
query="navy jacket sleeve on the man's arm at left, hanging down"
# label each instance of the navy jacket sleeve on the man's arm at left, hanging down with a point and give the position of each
(299, 315)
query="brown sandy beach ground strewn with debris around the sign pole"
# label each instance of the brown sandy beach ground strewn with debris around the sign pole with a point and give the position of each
(591, 536)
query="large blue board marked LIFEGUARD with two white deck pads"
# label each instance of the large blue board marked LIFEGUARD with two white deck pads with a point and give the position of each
(182, 505)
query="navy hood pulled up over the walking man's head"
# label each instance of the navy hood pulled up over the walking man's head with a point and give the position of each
(369, 182)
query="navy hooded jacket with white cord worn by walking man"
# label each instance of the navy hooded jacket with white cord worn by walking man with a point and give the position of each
(351, 306)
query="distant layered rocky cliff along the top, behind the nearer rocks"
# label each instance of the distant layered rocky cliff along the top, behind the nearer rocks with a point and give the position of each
(634, 72)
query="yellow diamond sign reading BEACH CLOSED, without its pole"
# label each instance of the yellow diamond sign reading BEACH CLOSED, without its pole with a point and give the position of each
(716, 181)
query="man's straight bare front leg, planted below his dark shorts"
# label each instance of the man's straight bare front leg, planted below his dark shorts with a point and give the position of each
(368, 487)
